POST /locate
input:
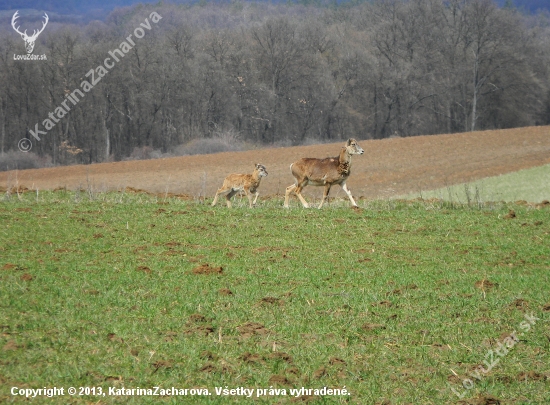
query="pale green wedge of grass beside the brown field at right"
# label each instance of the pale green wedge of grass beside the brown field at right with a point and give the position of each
(532, 185)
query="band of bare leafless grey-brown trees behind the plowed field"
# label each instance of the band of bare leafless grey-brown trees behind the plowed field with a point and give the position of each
(275, 74)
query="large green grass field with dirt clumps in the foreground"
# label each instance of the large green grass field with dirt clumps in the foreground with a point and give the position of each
(397, 302)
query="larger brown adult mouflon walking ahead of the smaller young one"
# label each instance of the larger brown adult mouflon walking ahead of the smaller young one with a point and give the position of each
(323, 172)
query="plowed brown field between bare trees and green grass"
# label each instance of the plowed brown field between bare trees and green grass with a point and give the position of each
(388, 168)
